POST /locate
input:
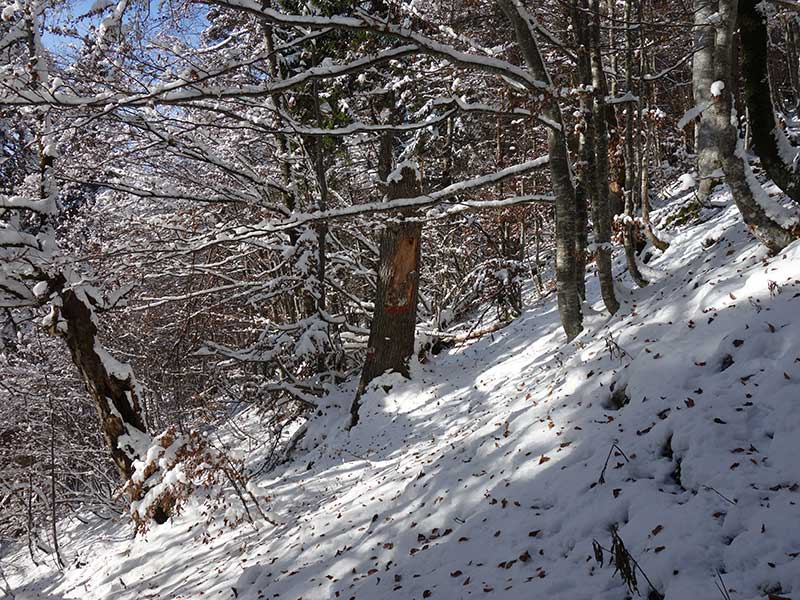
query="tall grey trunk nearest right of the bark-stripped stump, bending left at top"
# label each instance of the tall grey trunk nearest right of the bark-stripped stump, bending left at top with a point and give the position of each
(569, 300)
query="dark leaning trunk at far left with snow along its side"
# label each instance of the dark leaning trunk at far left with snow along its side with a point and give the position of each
(110, 384)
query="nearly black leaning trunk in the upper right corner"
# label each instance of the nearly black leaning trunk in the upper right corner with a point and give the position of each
(758, 97)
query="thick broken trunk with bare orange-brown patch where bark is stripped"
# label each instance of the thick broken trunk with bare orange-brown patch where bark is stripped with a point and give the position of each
(391, 335)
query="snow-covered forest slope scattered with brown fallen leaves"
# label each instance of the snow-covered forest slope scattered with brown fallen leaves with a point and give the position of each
(481, 477)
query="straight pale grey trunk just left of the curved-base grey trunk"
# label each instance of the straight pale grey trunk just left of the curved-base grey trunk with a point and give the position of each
(708, 159)
